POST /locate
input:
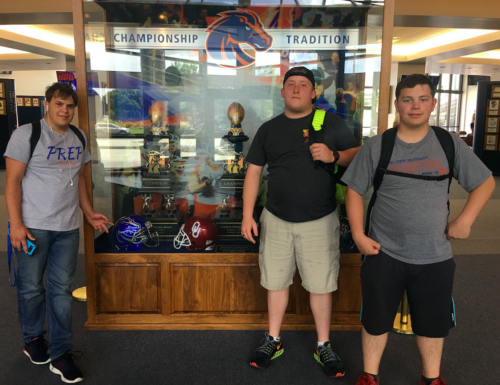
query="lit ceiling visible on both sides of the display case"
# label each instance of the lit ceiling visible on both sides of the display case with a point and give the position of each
(429, 37)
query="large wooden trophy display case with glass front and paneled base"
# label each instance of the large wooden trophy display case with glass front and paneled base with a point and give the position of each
(178, 94)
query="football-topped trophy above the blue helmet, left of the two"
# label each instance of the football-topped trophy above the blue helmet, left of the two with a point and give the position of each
(158, 182)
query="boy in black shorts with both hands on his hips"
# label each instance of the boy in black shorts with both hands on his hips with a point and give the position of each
(408, 246)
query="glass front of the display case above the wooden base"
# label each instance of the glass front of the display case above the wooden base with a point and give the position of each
(179, 90)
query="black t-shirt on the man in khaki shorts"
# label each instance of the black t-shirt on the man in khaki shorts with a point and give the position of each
(298, 192)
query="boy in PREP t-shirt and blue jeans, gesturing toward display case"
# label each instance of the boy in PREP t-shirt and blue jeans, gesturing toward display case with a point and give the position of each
(43, 191)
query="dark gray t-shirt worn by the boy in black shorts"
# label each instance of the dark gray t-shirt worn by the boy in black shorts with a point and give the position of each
(410, 216)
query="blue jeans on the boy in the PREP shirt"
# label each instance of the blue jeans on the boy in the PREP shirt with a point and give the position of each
(56, 253)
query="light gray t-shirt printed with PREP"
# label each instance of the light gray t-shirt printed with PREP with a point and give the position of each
(49, 202)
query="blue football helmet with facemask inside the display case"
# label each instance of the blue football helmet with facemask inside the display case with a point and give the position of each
(132, 231)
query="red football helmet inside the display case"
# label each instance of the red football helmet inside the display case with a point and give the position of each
(198, 233)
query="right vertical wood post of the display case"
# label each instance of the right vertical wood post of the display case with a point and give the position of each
(385, 72)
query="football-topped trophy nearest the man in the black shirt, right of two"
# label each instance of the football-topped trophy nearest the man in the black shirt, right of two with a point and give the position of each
(229, 219)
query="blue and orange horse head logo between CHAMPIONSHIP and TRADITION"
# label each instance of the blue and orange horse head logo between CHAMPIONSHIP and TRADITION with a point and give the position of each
(230, 31)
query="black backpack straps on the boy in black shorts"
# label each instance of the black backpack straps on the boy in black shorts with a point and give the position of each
(388, 141)
